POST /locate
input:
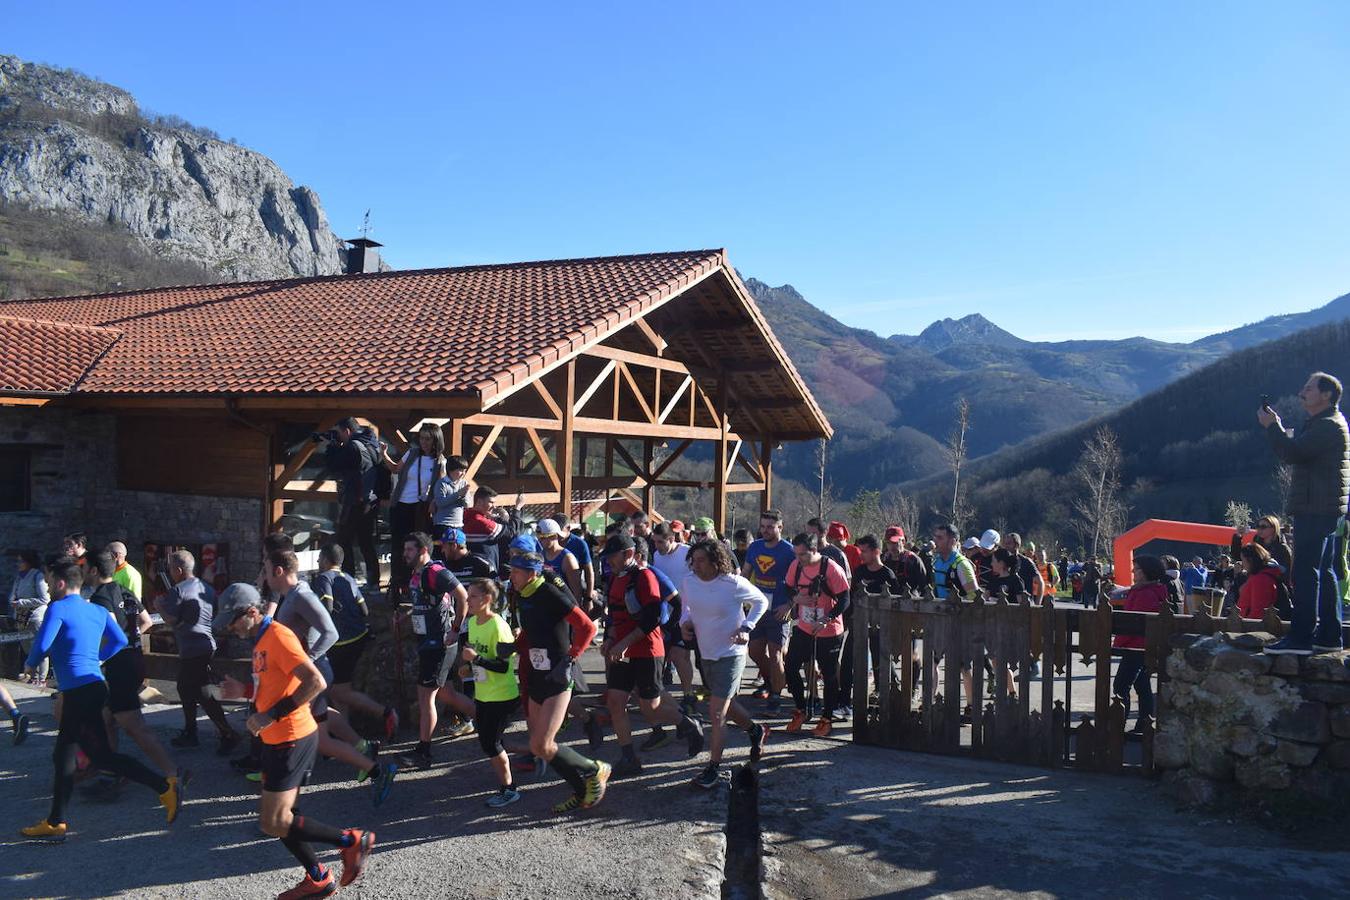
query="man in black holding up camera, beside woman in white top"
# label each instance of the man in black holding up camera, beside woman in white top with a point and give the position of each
(352, 455)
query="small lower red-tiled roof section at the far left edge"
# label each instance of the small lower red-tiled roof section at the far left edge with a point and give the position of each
(48, 358)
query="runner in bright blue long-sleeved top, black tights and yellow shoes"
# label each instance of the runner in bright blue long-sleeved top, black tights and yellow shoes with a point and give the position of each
(79, 638)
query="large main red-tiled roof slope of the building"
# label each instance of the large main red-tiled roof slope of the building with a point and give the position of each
(477, 329)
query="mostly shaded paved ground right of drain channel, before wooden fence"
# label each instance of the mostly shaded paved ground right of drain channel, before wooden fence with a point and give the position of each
(843, 821)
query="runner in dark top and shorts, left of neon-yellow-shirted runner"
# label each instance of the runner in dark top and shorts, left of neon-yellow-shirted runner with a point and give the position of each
(438, 604)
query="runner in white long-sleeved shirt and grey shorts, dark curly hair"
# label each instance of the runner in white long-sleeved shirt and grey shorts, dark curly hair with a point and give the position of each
(715, 602)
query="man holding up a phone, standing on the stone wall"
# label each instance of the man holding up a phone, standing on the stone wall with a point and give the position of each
(1320, 453)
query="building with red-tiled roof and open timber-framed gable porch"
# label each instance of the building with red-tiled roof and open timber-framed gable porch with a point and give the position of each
(211, 392)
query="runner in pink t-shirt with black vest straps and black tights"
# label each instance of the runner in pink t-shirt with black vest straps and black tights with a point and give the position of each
(820, 597)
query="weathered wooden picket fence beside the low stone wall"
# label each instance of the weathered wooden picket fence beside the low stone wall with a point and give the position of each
(923, 648)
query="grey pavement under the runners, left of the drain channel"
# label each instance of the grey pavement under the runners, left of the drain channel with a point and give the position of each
(435, 837)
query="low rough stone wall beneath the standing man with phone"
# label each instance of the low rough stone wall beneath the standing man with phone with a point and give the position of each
(1240, 724)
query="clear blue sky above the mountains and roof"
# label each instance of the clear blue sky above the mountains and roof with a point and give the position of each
(1066, 169)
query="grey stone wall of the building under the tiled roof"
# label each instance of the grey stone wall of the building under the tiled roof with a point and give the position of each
(75, 489)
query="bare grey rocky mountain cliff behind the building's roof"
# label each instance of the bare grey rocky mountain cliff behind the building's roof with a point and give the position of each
(84, 150)
